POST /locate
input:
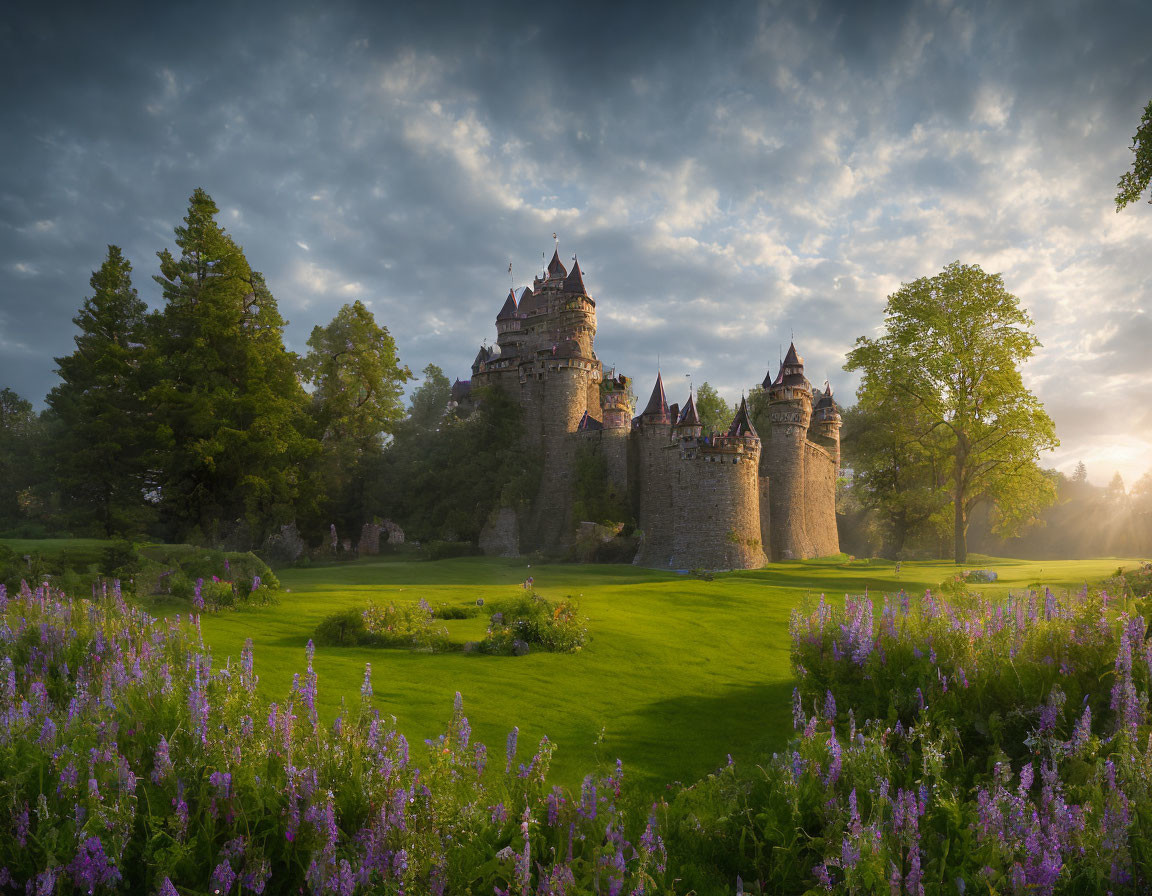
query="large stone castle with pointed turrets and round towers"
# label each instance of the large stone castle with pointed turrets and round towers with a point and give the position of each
(730, 500)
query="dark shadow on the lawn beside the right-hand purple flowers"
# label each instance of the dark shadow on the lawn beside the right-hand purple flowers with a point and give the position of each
(752, 722)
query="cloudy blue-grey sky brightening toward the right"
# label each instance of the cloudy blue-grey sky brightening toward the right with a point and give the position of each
(731, 177)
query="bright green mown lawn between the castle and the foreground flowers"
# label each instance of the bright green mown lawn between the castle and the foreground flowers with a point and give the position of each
(678, 674)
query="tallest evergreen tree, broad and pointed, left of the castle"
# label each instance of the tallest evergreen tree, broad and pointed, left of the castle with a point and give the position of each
(233, 414)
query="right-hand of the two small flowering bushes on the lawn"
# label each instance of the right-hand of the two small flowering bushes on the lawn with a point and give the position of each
(533, 621)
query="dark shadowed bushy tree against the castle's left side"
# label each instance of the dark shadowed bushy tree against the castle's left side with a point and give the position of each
(443, 485)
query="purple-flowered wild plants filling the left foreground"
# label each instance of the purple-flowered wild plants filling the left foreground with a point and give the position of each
(208, 788)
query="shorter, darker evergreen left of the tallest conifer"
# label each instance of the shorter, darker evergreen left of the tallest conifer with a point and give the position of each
(100, 415)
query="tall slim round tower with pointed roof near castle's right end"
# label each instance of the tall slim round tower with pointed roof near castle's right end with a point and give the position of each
(783, 461)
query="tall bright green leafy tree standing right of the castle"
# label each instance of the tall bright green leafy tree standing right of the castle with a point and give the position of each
(951, 352)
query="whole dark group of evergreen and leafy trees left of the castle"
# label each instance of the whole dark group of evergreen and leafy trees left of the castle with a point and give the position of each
(193, 423)
